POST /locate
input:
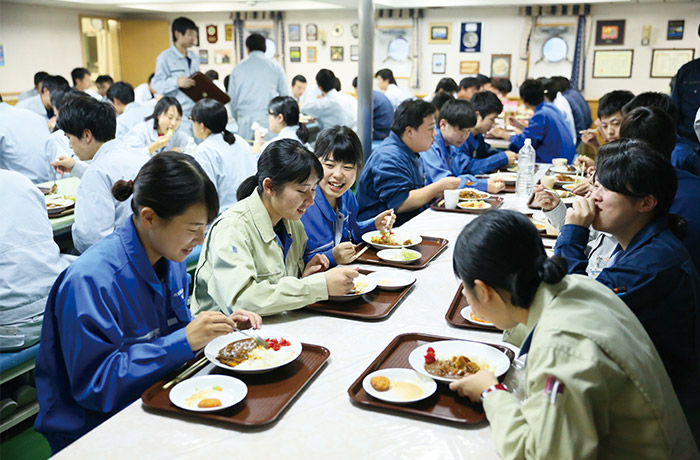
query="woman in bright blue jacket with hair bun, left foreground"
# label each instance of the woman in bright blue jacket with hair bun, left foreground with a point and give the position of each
(116, 320)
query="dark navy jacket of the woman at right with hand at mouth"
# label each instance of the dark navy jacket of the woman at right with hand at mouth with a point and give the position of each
(656, 278)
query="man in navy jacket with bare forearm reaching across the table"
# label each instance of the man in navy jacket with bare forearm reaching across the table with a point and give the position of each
(394, 176)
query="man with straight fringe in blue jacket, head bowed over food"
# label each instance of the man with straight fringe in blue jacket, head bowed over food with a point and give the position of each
(455, 121)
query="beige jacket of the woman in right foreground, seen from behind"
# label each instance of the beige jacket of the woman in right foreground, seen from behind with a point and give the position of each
(616, 402)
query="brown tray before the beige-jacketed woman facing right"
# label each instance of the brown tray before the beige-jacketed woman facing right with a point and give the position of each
(378, 304)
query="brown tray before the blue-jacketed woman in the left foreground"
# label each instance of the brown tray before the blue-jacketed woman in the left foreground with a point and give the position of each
(269, 393)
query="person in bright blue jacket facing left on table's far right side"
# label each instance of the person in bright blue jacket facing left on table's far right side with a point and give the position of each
(547, 128)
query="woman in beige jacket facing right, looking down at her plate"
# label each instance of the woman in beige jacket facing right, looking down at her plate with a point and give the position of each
(253, 256)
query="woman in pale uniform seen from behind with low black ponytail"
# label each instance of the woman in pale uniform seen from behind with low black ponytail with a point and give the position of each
(225, 158)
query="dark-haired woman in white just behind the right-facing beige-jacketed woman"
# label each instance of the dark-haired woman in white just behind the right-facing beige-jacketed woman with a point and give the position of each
(283, 118)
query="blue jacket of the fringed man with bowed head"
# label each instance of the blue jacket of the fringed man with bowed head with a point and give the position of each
(441, 160)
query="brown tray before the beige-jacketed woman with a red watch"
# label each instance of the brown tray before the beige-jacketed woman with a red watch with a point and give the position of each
(443, 404)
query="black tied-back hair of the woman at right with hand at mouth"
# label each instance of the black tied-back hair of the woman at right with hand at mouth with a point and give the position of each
(633, 168)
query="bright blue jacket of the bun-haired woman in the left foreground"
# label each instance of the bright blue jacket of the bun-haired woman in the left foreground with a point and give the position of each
(111, 329)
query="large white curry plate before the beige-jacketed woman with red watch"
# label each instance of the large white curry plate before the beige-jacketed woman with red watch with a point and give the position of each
(497, 361)
